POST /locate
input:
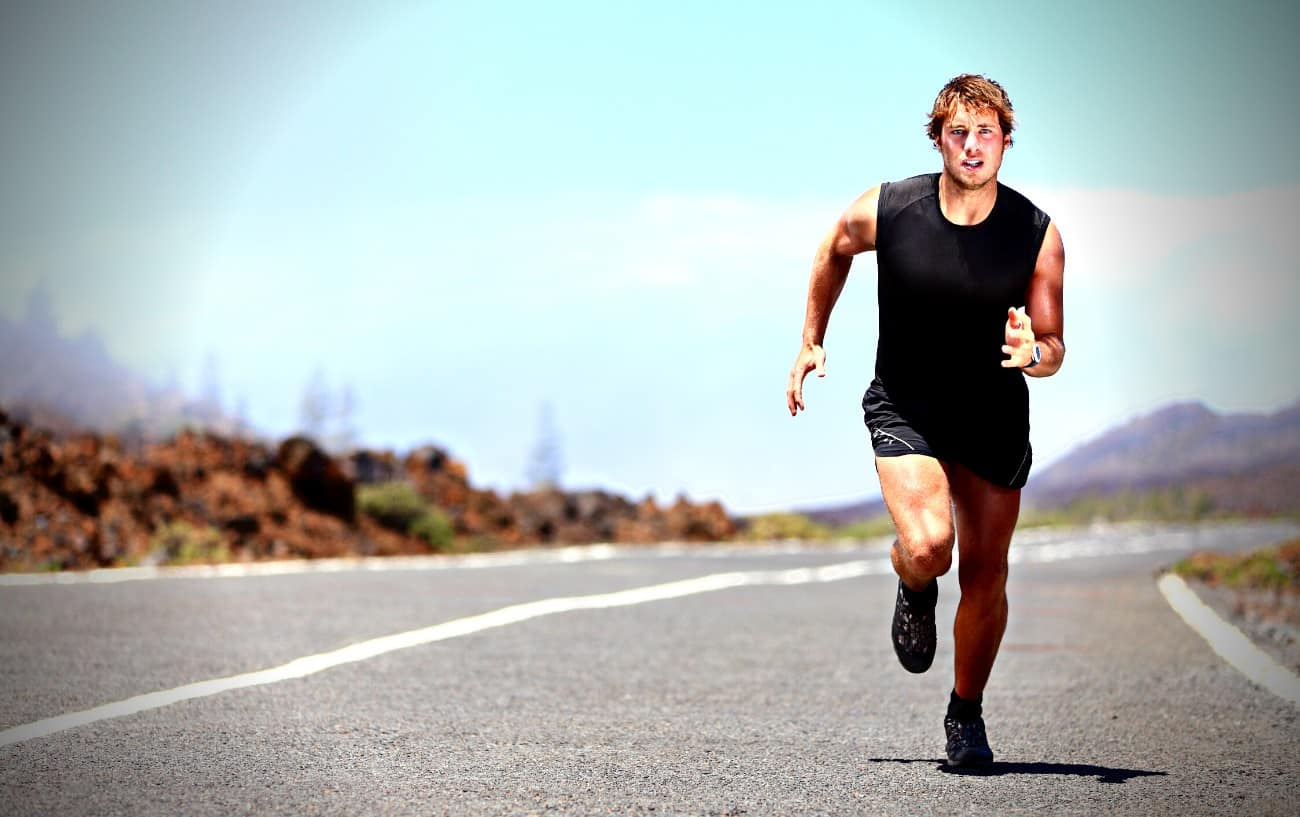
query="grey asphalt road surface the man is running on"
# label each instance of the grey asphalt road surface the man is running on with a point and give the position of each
(768, 699)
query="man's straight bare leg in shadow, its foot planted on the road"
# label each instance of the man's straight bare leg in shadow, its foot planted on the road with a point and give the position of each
(986, 521)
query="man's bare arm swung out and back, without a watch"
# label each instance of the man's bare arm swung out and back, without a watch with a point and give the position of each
(853, 234)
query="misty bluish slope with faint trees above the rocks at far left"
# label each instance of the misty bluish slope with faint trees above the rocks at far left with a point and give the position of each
(72, 383)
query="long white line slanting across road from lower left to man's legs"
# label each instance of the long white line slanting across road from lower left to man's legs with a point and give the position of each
(362, 651)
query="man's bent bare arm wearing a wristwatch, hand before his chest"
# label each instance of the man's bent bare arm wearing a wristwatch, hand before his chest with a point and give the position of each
(1045, 313)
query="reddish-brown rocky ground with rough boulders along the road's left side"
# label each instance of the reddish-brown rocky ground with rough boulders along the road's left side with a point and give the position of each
(85, 500)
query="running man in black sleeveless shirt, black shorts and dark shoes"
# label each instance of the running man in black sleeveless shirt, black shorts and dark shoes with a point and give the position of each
(970, 276)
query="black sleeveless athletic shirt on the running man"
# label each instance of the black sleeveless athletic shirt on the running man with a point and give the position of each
(944, 291)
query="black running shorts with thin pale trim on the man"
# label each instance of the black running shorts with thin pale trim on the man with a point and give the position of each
(996, 448)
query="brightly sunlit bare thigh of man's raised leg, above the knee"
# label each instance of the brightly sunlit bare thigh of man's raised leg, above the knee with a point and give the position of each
(917, 492)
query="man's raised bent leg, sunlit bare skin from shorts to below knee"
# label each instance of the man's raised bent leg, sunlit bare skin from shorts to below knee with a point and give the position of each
(917, 494)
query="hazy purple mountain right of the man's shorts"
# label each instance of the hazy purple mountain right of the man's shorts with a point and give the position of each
(1180, 444)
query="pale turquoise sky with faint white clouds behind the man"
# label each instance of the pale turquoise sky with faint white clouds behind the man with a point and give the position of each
(469, 213)
